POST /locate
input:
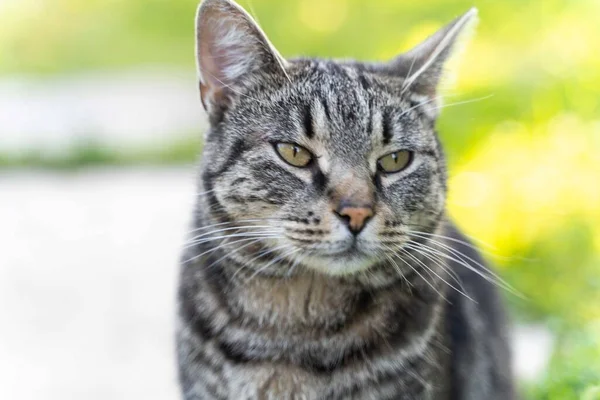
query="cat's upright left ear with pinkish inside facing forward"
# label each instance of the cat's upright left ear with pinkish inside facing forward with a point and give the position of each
(230, 48)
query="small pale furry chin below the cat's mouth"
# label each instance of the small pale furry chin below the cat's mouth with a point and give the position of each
(342, 264)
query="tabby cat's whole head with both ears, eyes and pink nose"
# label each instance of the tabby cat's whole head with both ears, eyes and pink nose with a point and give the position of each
(333, 163)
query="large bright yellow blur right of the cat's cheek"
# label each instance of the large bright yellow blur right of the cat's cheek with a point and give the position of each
(523, 181)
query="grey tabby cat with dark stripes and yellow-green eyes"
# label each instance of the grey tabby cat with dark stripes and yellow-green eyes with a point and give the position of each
(321, 264)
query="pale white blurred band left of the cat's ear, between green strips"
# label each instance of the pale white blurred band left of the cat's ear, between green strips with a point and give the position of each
(123, 110)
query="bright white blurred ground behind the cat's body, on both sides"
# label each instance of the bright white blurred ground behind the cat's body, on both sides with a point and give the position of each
(88, 264)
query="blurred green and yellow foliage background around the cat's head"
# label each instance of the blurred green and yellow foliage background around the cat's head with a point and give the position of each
(524, 148)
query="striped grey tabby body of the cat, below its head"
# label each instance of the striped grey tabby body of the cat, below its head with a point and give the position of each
(311, 338)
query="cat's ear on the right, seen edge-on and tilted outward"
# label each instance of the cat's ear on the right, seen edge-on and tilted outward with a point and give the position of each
(423, 66)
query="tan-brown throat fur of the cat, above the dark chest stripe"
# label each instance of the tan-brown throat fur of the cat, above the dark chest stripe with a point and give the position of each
(312, 302)
